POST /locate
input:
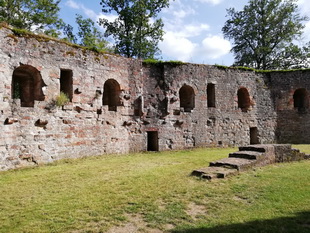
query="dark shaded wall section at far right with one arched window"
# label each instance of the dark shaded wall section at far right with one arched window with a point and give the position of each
(290, 92)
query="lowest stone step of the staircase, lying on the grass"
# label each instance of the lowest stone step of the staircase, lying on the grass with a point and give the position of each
(210, 173)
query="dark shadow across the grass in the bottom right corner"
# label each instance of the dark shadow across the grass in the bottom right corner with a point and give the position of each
(299, 224)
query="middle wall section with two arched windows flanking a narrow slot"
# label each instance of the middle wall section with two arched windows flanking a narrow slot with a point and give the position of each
(223, 123)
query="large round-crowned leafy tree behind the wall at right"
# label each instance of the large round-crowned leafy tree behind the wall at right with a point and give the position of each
(263, 34)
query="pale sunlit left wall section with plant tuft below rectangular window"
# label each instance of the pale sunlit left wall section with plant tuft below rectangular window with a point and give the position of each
(84, 126)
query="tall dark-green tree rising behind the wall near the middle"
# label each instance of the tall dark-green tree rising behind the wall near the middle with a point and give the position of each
(136, 30)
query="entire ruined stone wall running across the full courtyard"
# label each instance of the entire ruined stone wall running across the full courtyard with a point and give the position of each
(120, 105)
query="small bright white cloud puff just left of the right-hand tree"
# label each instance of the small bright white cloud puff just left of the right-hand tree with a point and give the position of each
(215, 46)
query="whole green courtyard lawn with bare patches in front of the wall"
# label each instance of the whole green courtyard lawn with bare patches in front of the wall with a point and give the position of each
(153, 192)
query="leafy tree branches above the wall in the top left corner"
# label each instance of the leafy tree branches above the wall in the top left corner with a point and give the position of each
(32, 15)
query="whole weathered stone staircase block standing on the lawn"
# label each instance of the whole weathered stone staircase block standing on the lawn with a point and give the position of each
(248, 157)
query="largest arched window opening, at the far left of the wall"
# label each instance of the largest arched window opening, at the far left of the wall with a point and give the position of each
(27, 85)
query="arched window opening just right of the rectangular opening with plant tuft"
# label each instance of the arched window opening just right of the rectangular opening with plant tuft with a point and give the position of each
(111, 94)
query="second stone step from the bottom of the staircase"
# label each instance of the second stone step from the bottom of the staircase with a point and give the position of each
(235, 163)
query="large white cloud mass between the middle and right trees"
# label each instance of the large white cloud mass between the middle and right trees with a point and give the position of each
(185, 40)
